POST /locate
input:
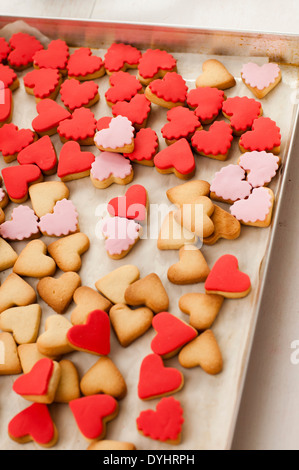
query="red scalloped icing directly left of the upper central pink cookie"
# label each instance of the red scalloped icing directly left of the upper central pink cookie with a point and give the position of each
(80, 125)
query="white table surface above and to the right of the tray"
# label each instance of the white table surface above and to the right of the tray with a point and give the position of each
(270, 406)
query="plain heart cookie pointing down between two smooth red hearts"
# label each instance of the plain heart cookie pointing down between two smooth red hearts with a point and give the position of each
(129, 324)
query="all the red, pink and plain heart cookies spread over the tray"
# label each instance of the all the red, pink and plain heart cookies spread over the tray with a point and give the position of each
(122, 302)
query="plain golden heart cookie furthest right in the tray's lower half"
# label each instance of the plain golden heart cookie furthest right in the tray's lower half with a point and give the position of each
(204, 352)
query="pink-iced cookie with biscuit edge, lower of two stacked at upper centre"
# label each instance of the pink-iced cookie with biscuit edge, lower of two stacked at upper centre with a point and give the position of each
(110, 167)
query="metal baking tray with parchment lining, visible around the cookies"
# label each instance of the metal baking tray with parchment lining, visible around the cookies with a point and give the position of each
(210, 403)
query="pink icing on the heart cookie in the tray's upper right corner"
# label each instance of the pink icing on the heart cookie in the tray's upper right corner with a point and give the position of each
(259, 77)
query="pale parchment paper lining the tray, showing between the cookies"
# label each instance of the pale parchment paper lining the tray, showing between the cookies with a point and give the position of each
(209, 402)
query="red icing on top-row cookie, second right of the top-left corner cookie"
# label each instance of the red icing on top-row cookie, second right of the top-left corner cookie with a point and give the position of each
(82, 63)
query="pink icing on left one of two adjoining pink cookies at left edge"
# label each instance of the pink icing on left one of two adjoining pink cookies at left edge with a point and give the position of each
(23, 224)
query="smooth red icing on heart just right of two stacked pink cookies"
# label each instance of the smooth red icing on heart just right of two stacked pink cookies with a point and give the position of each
(178, 156)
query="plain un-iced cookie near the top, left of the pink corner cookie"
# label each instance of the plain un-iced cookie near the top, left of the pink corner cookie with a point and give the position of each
(215, 75)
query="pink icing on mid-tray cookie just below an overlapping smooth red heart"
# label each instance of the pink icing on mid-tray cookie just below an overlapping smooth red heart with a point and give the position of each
(120, 234)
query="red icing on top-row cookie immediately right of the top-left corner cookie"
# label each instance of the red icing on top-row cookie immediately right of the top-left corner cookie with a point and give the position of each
(55, 57)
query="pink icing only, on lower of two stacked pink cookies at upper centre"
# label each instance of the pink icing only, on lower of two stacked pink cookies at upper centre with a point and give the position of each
(109, 163)
